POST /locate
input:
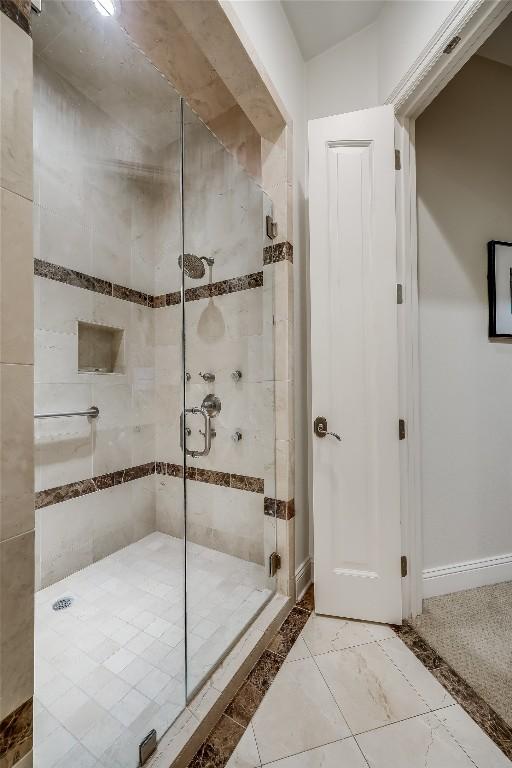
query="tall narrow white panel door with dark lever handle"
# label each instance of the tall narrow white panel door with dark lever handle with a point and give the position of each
(356, 481)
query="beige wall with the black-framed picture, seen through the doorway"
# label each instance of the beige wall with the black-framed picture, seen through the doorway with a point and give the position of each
(464, 164)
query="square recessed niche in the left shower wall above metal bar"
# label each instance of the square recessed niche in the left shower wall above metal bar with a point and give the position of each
(100, 348)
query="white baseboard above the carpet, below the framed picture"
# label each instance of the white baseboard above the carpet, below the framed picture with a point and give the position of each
(475, 573)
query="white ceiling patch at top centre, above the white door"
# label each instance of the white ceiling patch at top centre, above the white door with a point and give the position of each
(320, 24)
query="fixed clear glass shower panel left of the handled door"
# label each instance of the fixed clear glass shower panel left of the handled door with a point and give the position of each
(110, 555)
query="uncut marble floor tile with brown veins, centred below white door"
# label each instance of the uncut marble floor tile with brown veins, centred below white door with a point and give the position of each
(368, 687)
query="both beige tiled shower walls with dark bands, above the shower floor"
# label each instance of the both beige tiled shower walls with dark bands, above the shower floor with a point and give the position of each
(107, 214)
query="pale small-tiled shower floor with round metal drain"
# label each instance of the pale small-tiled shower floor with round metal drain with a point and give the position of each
(111, 666)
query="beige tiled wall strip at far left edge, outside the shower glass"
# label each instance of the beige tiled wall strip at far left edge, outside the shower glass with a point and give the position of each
(16, 382)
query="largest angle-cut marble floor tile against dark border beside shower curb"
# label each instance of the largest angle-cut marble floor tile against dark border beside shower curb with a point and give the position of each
(297, 713)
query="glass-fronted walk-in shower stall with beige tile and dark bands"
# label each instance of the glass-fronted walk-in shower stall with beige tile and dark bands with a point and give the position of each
(154, 395)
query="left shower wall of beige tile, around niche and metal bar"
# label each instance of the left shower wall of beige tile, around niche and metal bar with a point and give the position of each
(97, 191)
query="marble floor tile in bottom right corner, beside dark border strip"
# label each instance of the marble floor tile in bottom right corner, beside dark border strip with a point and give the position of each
(476, 743)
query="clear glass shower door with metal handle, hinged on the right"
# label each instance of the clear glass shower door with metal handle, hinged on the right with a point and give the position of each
(229, 427)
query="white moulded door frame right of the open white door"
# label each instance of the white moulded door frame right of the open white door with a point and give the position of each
(473, 21)
